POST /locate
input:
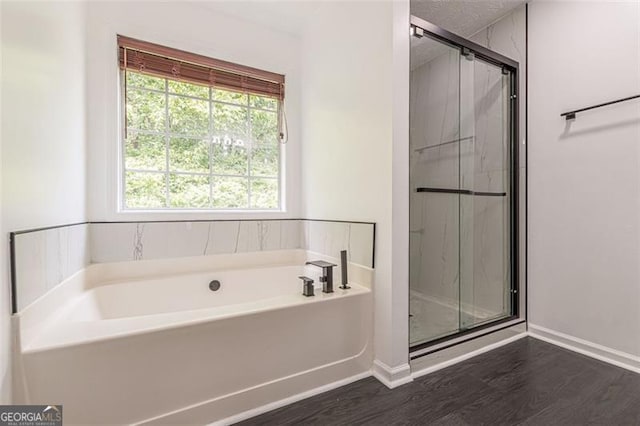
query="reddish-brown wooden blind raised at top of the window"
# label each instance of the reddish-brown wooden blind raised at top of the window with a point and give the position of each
(166, 62)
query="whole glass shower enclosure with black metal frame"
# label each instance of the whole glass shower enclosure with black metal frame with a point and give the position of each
(463, 183)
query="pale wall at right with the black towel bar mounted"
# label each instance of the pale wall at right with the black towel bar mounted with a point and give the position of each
(584, 189)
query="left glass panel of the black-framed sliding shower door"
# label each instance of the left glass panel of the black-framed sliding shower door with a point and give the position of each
(434, 234)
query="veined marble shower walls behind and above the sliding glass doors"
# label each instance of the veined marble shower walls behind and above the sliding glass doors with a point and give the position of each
(459, 244)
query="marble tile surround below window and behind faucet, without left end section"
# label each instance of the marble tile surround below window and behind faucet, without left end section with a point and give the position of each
(115, 242)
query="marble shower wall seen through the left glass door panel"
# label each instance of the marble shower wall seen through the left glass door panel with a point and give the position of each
(435, 162)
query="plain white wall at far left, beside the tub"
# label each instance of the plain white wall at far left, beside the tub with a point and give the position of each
(43, 129)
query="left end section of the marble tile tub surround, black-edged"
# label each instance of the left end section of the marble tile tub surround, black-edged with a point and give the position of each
(43, 259)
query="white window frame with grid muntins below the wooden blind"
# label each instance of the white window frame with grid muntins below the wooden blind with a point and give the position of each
(166, 134)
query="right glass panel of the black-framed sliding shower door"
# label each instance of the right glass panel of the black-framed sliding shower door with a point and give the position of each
(485, 275)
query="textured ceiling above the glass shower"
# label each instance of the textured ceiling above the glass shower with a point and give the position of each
(462, 17)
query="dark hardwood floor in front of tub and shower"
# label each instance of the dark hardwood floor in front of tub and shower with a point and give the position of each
(527, 382)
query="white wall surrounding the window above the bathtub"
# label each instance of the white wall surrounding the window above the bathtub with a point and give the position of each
(192, 27)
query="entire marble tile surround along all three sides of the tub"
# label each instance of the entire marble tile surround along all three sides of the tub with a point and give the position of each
(44, 258)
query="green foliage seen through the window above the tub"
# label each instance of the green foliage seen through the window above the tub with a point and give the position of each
(194, 147)
